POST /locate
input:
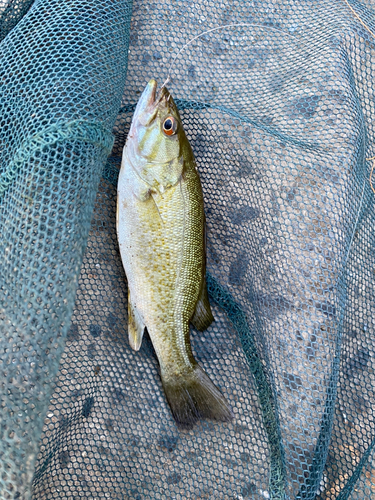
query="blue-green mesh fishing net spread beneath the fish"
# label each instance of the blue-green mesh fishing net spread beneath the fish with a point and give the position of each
(280, 118)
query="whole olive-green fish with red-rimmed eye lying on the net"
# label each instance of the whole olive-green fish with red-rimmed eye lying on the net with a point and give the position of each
(161, 232)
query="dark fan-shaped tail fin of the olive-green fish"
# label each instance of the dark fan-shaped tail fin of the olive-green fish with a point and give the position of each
(192, 396)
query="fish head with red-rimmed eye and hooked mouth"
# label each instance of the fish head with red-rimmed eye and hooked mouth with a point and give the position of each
(156, 139)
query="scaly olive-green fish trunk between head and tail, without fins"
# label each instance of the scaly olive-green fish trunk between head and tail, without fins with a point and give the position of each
(164, 259)
